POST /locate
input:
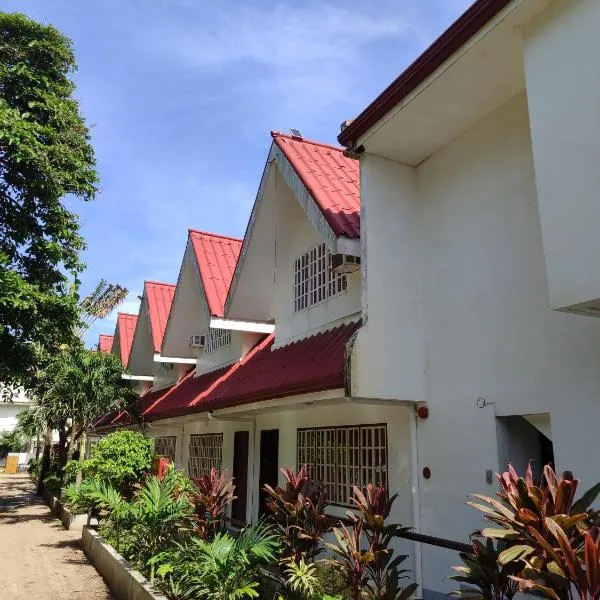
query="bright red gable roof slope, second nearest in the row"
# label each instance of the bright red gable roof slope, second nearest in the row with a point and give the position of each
(217, 256)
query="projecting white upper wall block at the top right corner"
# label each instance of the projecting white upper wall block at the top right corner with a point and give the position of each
(563, 86)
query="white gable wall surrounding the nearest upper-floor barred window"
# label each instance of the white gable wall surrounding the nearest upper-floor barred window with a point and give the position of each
(295, 235)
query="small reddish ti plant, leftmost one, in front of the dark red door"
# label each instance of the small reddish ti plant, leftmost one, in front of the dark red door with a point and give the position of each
(213, 494)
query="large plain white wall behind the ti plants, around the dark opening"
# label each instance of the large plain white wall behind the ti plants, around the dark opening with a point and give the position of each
(488, 329)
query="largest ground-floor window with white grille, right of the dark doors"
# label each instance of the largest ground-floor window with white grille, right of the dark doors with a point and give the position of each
(341, 457)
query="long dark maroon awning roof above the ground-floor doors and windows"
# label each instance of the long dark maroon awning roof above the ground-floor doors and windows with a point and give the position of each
(310, 365)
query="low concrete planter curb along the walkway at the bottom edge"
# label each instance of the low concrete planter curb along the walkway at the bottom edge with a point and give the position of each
(124, 582)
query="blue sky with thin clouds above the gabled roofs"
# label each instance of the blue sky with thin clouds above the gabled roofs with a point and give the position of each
(181, 96)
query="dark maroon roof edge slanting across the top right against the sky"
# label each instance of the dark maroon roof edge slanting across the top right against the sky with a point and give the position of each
(458, 34)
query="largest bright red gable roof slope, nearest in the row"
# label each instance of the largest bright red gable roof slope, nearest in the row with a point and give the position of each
(332, 179)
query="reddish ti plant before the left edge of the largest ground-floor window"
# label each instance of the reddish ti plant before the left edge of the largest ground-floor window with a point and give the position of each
(298, 509)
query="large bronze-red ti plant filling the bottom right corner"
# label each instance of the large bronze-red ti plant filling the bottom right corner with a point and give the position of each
(547, 540)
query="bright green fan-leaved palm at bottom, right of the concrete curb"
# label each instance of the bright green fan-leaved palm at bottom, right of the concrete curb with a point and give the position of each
(225, 568)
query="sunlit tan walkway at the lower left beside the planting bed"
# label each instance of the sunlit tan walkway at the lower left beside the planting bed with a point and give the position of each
(39, 560)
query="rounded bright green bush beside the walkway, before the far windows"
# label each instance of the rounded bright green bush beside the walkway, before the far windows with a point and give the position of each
(120, 459)
